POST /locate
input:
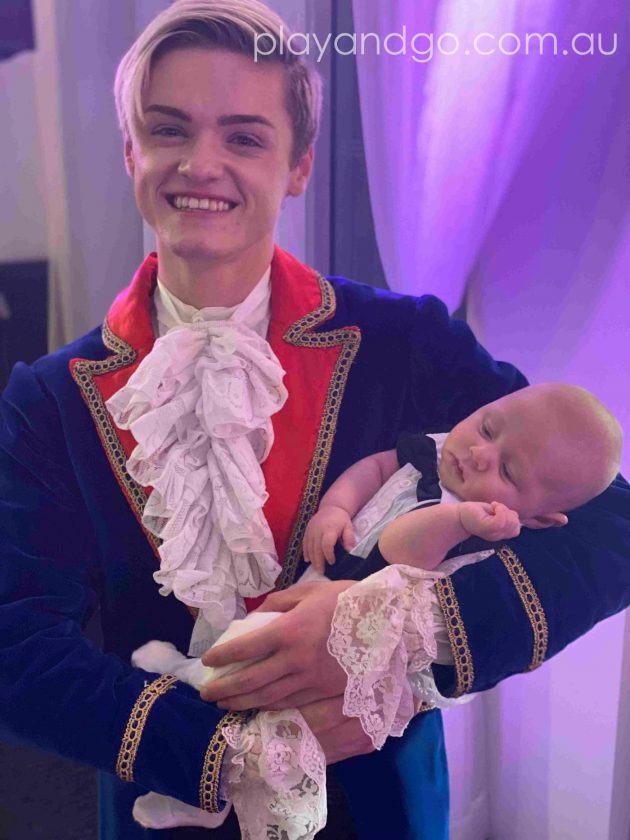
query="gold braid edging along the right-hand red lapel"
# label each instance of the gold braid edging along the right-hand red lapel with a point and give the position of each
(299, 335)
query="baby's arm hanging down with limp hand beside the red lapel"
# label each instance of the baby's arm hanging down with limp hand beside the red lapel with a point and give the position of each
(343, 500)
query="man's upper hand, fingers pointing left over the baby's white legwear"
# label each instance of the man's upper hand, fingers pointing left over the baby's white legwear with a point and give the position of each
(298, 669)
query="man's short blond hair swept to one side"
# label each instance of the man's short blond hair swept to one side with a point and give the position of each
(235, 25)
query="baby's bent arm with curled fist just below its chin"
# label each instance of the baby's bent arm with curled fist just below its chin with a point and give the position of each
(423, 537)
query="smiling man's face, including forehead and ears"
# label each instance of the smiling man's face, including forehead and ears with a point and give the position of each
(232, 137)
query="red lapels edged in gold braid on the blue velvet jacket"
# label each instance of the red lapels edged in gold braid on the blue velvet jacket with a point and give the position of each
(300, 300)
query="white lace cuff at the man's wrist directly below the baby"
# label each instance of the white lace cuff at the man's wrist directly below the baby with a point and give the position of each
(383, 634)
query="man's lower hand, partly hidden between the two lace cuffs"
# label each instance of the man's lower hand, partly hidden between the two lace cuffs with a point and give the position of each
(340, 737)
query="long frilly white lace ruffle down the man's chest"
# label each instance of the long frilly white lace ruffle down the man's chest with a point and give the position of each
(199, 407)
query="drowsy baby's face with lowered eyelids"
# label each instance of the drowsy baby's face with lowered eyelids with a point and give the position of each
(507, 452)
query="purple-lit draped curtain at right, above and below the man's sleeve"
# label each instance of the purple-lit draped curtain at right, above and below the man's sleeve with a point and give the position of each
(505, 181)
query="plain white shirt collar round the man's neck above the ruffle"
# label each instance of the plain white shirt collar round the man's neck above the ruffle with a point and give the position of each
(255, 311)
